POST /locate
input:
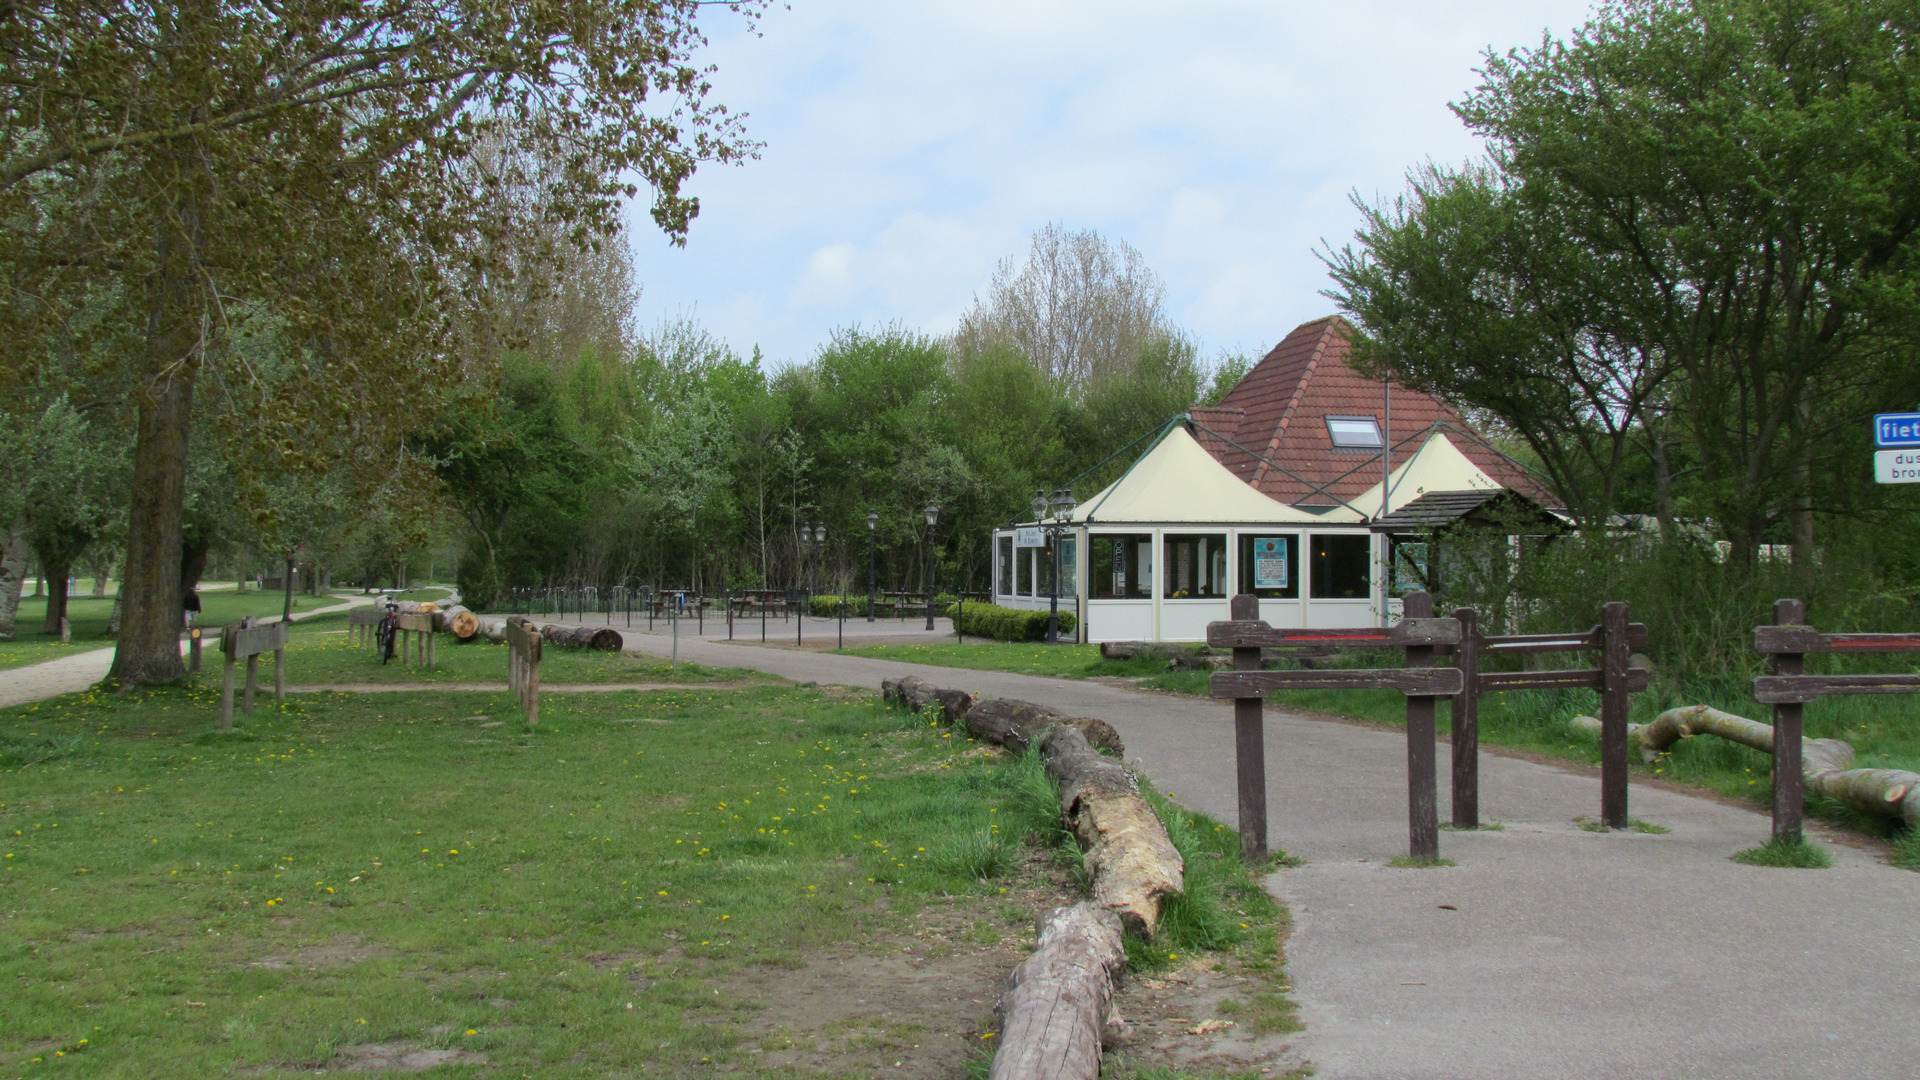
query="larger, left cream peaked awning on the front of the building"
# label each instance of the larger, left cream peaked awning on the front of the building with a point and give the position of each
(1178, 483)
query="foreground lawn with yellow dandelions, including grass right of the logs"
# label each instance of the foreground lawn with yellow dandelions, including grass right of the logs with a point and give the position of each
(623, 893)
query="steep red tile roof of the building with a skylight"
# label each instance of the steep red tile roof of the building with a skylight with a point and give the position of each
(1272, 433)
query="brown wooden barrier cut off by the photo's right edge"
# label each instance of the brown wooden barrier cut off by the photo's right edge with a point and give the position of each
(1788, 689)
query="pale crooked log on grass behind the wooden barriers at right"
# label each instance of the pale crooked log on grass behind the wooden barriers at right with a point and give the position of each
(1825, 762)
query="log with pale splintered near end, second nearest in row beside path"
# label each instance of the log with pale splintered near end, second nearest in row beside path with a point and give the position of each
(1130, 858)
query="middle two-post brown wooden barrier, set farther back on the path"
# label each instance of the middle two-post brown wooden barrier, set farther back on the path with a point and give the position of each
(1616, 639)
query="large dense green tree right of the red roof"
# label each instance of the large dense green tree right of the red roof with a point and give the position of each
(1698, 228)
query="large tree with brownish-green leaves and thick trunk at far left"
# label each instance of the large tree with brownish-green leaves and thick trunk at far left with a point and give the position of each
(304, 159)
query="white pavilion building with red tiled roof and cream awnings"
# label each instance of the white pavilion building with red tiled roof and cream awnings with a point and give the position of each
(1276, 493)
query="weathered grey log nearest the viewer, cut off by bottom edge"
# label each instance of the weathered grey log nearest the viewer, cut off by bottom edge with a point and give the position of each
(1057, 1008)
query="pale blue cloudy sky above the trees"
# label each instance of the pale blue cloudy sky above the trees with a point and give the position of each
(911, 147)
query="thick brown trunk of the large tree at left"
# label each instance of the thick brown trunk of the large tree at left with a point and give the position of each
(151, 585)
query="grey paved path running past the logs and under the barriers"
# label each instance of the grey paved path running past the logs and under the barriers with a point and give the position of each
(1566, 954)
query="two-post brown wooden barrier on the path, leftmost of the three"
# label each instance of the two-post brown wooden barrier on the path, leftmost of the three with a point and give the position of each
(1420, 633)
